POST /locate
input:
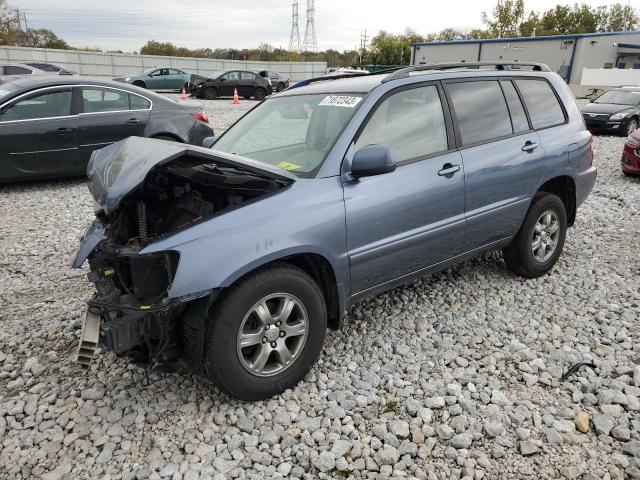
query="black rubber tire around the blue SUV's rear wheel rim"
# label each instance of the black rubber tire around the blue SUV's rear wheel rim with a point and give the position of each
(519, 256)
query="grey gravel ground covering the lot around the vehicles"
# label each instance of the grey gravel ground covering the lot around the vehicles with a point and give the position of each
(454, 376)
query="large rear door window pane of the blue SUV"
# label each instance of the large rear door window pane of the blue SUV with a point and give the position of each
(481, 111)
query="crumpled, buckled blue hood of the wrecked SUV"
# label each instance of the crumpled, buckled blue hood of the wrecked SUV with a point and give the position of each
(120, 168)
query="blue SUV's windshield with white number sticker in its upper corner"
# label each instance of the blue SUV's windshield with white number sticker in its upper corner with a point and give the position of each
(294, 133)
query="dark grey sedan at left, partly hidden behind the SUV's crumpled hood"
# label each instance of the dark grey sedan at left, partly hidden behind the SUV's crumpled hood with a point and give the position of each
(49, 125)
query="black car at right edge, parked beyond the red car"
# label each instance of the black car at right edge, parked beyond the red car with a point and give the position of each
(615, 111)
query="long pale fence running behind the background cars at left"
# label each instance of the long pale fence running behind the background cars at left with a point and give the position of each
(123, 64)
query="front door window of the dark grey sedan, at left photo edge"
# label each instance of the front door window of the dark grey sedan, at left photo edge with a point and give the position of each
(43, 105)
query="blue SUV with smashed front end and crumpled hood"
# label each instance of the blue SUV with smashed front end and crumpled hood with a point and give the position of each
(236, 259)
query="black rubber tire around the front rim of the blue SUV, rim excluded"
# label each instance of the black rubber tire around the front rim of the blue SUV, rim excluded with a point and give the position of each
(222, 361)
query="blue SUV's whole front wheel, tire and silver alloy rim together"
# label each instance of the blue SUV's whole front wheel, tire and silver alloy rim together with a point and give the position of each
(265, 332)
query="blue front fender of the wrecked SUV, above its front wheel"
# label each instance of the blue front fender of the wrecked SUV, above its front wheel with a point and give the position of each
(306, 218)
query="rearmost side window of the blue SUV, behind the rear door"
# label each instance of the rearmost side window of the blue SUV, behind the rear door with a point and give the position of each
(542, 103)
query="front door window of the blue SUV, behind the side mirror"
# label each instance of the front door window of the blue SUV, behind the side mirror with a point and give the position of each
(411, 122)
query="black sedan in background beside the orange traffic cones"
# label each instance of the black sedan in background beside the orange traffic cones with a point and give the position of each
(223, 83)
